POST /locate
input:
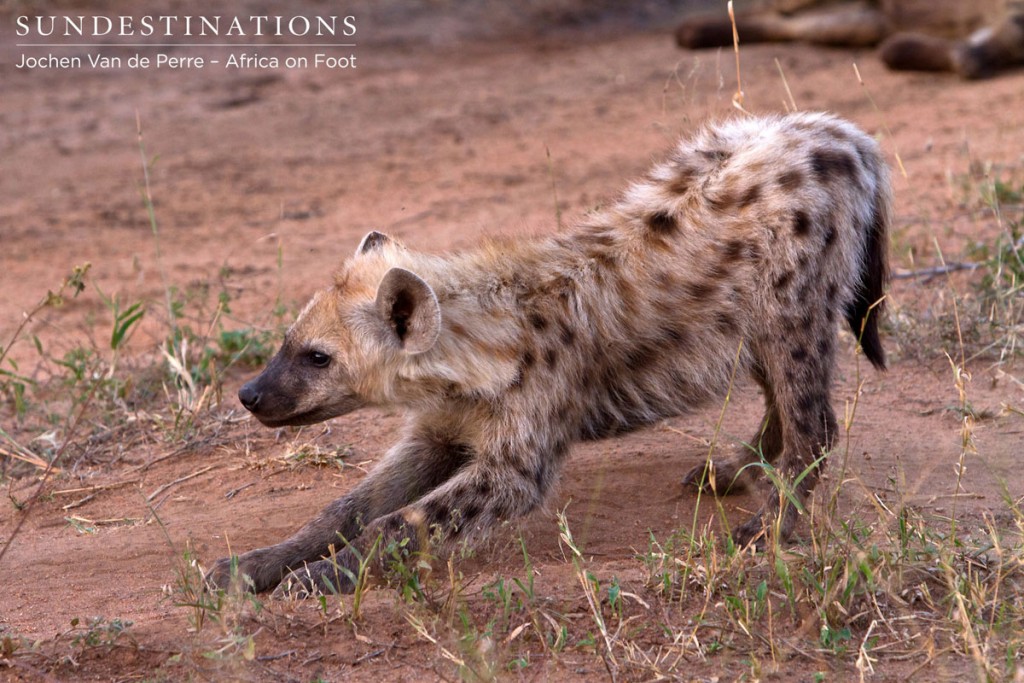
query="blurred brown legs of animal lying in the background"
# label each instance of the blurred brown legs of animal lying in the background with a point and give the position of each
(972, 38)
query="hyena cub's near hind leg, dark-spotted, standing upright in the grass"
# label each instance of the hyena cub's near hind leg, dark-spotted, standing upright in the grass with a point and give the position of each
(798, 369)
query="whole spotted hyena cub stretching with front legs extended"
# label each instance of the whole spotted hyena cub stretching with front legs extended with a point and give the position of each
(750, 240)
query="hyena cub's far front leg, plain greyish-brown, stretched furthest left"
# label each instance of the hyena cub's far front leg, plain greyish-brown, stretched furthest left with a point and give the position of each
(412, 467)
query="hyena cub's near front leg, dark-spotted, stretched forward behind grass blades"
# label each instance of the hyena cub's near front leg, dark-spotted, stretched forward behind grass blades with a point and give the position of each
(477, 498)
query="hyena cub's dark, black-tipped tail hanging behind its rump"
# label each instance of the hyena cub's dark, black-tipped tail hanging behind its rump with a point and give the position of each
(864, 313)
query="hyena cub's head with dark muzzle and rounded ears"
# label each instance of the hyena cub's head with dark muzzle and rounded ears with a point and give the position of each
(350, 345)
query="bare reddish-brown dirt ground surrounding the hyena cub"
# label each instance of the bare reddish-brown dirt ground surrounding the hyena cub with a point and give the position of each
(439, 138)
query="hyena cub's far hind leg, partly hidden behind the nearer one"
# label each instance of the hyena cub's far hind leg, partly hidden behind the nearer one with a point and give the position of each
(728, 476)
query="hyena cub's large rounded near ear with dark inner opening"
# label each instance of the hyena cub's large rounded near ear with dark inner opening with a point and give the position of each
(411, 308)
